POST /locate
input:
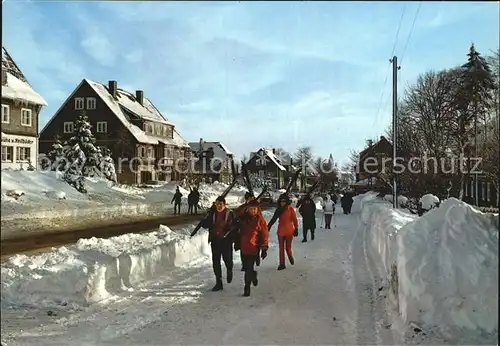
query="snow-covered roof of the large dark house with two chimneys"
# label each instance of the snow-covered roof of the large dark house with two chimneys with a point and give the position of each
(146, 112)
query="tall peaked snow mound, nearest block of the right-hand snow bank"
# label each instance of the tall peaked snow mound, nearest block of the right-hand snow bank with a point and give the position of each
(448, 268)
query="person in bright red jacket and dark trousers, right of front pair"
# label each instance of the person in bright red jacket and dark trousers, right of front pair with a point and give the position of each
(254, 240)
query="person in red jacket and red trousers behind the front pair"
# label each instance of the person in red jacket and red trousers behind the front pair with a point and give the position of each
(287, 229)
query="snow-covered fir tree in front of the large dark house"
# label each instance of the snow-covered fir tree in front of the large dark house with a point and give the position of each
(79, 157)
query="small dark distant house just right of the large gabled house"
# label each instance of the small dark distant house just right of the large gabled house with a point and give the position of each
(212, 161)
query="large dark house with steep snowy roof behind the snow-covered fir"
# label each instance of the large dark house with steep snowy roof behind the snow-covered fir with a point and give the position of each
(145, 146)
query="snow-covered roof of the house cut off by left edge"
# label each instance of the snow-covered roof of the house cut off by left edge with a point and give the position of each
(16, 86)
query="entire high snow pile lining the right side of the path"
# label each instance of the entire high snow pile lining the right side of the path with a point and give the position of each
(442, 267)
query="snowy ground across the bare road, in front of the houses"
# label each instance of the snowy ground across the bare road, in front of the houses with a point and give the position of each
(43, 196)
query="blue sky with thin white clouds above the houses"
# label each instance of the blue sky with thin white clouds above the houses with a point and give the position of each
(248, 74)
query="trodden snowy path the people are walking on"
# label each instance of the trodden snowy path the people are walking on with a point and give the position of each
(330, 296)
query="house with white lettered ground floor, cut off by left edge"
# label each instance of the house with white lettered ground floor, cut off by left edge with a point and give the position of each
(21, 106)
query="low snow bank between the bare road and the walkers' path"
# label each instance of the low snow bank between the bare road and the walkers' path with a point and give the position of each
(94, 269)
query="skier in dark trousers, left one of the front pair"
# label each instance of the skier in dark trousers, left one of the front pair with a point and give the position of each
(218, 226)
